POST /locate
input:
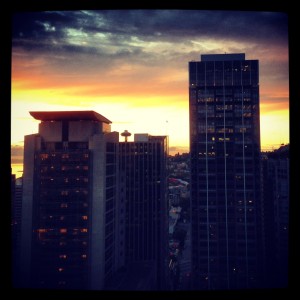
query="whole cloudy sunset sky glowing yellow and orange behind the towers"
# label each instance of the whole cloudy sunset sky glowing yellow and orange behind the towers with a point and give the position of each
(131, 66)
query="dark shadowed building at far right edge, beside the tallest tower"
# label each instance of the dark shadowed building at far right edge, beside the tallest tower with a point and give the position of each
(276, 195)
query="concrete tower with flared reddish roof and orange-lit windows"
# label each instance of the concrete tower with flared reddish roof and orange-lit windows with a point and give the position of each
(70, 232)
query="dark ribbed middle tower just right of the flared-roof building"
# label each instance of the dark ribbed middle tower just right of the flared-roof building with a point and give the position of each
(143, 182)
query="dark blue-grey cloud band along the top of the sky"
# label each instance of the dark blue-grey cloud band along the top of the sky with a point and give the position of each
(148, 25)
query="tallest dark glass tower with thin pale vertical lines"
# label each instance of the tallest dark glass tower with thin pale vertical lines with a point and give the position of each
(225, 172)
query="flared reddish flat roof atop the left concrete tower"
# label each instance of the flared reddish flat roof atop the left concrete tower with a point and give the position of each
(69, 116)
